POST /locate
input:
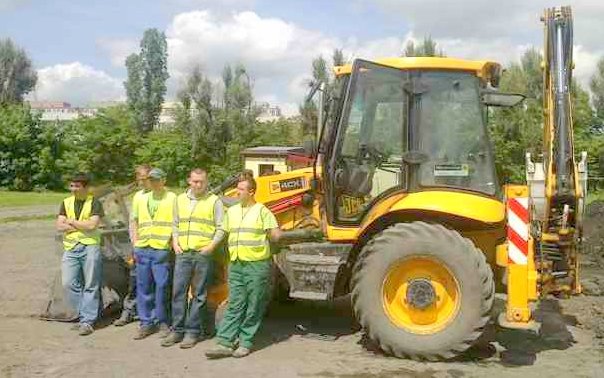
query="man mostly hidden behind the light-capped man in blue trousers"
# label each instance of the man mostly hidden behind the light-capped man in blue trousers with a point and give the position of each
(129, 303)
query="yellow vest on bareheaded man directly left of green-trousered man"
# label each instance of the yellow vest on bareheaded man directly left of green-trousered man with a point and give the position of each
(195, 227)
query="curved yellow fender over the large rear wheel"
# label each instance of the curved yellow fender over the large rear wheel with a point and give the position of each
(466, 205)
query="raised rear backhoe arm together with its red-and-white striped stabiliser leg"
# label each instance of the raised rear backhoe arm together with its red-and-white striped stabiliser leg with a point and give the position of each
(545, 217)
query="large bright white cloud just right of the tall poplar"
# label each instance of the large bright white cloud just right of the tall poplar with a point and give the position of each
(277, 54)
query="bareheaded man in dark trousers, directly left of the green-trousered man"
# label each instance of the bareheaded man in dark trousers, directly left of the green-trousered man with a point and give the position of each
(196, 233)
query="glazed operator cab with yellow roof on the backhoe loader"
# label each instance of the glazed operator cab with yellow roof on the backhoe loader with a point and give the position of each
(407, 124)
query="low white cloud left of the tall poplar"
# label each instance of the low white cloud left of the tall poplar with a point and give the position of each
(76, 83)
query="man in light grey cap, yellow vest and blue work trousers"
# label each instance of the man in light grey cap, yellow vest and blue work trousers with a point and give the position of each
(151, 238)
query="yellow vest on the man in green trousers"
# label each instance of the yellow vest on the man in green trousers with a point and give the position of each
(247, 237)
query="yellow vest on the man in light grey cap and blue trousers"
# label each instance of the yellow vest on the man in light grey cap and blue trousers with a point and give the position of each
(155, 232)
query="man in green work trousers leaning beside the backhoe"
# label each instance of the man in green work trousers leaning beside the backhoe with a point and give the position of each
(250, 226)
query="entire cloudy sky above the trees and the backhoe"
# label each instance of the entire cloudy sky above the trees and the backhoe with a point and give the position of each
(79, 47)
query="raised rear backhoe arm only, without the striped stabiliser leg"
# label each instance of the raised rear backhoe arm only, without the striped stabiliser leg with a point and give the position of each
(558, 230)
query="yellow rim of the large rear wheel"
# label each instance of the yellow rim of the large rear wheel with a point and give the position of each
(403, 278)
